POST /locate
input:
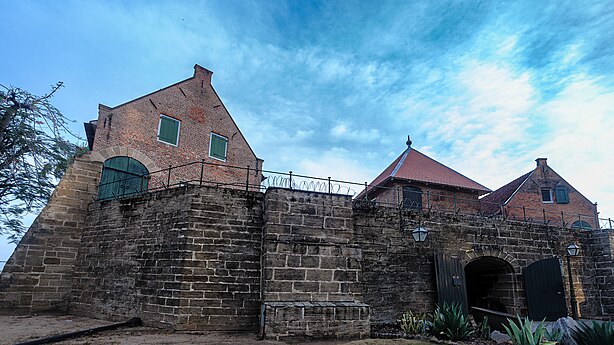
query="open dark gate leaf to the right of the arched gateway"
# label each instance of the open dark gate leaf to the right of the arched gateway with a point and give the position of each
(543, 284)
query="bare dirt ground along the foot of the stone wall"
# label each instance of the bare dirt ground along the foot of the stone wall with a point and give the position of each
(17, 329)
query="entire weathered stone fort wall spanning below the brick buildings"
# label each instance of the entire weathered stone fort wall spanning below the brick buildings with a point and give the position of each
(307, 264)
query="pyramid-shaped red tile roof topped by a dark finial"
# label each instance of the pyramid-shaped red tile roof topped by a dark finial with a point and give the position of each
(415, 166)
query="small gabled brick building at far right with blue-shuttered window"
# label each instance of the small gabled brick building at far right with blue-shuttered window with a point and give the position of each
(542, 195)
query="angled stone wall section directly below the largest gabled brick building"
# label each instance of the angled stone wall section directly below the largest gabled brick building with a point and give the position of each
(184, 258)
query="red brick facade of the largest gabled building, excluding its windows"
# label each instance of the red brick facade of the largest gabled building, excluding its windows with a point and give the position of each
(131, 129)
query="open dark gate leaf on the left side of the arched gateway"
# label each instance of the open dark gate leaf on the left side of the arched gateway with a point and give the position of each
(450, 276)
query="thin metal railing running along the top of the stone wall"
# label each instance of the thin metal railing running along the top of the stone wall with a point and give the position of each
(203, 173)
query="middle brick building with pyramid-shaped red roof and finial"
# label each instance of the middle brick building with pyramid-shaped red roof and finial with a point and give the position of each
(419, 182)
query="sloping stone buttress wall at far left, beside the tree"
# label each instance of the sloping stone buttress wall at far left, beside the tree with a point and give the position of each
(38, 275)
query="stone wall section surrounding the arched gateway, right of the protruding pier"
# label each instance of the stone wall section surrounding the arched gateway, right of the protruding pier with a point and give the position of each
(398, 273)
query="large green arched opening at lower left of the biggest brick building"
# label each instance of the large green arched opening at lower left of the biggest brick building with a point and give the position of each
(122, 176)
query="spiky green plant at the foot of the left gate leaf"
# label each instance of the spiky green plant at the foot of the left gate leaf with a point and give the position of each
(449, 322)
